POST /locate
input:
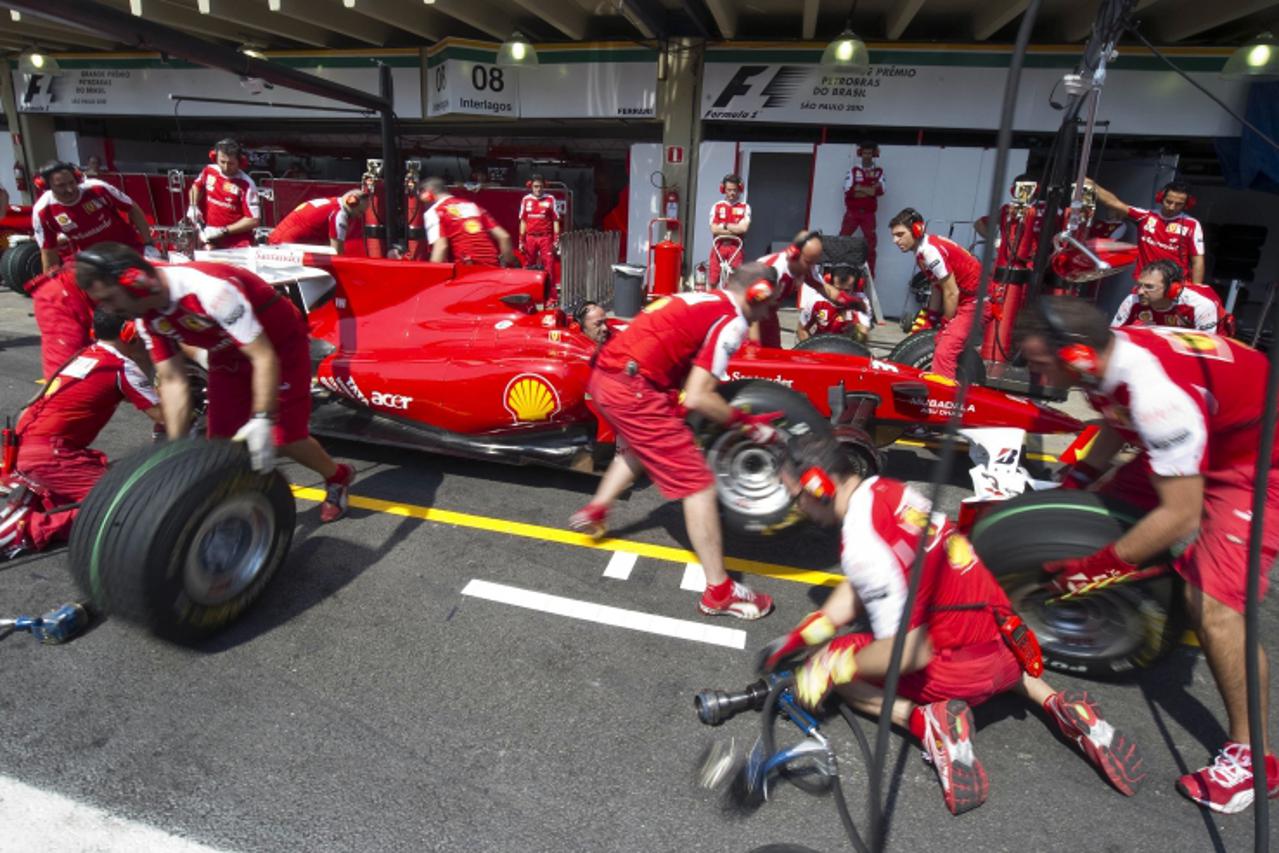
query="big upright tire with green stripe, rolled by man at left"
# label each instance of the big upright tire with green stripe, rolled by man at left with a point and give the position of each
(182, 539)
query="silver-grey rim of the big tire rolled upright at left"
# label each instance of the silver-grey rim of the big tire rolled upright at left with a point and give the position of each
(231, 549)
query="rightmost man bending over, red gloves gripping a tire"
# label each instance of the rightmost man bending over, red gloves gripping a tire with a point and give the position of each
(1194, 403)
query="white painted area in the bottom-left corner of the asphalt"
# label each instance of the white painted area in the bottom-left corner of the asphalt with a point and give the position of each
(36, 820)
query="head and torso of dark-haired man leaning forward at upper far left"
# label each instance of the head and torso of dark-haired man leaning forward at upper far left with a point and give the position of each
(85, 212)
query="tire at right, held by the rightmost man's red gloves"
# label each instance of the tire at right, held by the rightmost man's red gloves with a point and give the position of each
(1098, 636)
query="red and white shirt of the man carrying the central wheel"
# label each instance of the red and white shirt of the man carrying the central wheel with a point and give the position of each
(675, 336)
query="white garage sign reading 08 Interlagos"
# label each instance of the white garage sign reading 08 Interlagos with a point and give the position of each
(570, 82)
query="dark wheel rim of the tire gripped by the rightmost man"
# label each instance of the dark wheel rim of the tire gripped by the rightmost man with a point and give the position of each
(1102, 626)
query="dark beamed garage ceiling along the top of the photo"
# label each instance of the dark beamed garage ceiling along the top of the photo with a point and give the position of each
(281, 25)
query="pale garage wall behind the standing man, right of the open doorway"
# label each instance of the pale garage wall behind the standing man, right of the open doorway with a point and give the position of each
(950, 186)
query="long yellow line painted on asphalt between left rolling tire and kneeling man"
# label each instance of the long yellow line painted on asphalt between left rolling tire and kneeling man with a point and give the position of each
(677, 556)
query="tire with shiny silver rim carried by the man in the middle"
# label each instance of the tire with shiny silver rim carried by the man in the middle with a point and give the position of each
(748, 476)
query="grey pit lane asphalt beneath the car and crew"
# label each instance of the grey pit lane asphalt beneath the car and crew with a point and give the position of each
(365, 704)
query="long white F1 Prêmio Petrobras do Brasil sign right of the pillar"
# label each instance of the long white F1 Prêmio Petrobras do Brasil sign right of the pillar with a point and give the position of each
(961, 86)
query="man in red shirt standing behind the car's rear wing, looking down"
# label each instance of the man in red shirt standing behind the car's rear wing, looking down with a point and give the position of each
(224, 203)
